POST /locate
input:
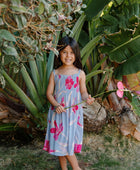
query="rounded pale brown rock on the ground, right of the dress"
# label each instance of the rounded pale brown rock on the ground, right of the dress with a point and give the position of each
(94, 117)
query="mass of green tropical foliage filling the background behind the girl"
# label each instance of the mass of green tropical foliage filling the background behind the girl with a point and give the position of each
(108, 37)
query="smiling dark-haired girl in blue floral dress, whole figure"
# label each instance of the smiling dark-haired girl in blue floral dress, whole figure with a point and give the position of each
(66, 88)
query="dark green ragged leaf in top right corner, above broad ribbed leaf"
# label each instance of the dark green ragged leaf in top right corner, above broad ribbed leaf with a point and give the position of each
(121, 16)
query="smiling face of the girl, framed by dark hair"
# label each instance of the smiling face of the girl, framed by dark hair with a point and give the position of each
(67, 56)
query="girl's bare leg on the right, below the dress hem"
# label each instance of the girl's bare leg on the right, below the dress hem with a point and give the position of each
(73, 161)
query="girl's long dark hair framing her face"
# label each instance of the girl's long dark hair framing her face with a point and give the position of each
(64, 42)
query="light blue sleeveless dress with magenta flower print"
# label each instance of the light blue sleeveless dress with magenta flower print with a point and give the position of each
(65, 130)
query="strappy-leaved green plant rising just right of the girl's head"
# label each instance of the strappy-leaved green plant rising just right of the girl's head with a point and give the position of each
(89, 41)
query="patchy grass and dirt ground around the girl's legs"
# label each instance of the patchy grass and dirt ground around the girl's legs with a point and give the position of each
(108, 150)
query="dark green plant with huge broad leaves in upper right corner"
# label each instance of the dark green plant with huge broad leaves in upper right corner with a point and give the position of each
(120, 24)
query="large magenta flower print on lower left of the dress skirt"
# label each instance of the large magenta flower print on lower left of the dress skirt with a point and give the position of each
(56, 130)
